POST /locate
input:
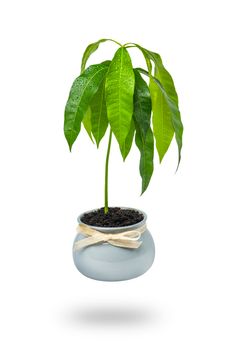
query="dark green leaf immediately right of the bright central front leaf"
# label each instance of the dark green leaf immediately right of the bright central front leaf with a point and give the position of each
(142, 104)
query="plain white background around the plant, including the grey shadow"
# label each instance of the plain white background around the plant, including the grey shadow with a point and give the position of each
(186, 299)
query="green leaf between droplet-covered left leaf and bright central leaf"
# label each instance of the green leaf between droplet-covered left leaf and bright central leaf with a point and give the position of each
(99, 114)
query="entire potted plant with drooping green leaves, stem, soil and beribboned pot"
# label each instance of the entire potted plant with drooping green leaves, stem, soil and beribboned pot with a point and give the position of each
(114, 244)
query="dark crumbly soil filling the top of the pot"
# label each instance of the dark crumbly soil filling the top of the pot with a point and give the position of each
(116, 217)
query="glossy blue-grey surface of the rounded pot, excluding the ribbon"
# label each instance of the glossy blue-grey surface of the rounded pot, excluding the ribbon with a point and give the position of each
(106, 262)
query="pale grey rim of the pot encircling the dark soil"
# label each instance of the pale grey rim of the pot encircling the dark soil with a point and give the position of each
(114, 229)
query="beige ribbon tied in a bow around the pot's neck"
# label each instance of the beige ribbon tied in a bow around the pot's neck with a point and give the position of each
(125, 239)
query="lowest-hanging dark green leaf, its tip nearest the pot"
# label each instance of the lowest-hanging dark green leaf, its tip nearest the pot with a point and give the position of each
(146, 148)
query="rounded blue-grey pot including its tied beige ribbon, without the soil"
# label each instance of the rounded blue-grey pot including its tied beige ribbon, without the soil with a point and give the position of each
(103, 253)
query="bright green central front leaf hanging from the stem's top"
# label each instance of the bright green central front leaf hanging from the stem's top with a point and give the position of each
(119, 94)
